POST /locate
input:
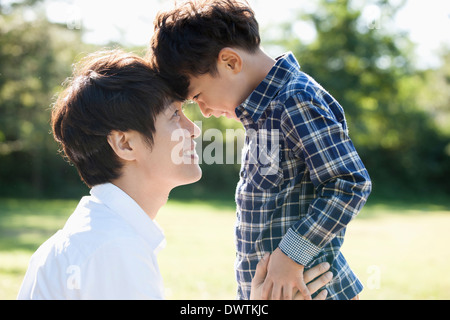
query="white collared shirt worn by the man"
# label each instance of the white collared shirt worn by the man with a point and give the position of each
(106, 250)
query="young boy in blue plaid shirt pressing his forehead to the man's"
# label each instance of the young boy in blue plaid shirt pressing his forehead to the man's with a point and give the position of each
(296, 200)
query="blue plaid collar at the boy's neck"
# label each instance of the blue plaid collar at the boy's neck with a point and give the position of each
(255, 105)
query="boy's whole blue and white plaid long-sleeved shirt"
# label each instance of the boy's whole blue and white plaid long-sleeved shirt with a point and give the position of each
(301, 179)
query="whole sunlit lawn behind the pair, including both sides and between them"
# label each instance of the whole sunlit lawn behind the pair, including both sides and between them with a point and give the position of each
(399, 250)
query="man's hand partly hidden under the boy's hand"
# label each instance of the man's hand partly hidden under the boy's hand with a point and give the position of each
(313, 286)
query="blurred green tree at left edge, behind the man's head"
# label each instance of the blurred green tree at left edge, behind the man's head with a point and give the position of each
(35, 58)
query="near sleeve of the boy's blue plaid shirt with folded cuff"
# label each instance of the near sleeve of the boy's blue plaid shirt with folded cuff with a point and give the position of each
(342, 183)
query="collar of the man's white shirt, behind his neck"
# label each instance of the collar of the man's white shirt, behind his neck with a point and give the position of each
(123, 205)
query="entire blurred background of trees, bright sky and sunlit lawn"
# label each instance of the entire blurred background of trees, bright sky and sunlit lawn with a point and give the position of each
(386, 62)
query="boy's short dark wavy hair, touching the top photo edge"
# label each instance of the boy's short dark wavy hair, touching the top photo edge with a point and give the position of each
(188, 38)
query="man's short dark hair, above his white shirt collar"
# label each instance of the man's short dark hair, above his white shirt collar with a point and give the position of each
(109, 90)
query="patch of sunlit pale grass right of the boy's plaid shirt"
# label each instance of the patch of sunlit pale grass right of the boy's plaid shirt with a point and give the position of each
(401, 253)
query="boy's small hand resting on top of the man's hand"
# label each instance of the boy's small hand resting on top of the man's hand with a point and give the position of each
(284, 276)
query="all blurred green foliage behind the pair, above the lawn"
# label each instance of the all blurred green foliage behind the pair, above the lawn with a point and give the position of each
(398, 116)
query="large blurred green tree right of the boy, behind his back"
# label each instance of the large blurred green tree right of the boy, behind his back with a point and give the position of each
(368, 69)
